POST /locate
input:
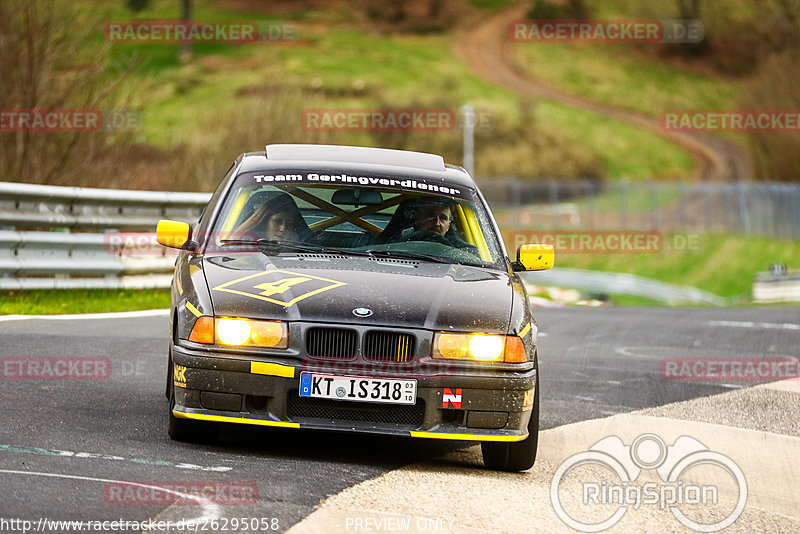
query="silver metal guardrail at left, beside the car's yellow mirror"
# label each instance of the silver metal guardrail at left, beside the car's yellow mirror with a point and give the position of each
(32, 258)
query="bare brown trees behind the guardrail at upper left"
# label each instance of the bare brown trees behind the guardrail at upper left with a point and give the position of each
(49, 64)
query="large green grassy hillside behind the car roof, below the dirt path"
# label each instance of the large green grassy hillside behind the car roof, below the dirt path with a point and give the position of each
(338, 62)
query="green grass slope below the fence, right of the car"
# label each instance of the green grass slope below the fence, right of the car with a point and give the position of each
(725, 265)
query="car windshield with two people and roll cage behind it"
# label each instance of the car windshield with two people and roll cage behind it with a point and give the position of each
(352, 219)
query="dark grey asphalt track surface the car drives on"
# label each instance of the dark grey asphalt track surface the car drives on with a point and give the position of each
(66, 445)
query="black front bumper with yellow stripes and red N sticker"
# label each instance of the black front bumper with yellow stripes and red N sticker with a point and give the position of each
(495, 405)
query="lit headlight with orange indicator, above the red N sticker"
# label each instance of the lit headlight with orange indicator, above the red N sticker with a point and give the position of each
(479, 347)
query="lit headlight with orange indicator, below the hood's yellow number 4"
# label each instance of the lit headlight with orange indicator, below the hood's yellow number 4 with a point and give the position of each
(240, 332)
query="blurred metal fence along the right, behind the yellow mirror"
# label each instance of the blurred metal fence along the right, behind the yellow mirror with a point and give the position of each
(754, 208)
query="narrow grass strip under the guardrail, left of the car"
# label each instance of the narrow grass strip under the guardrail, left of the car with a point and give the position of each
(49, 302)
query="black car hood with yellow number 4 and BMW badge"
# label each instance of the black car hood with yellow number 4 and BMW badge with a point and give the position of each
(334, 289)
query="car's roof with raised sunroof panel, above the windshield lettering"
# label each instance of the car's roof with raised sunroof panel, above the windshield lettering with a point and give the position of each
(361, 160)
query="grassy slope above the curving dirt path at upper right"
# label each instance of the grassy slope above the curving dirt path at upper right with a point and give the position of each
(638, 77)
